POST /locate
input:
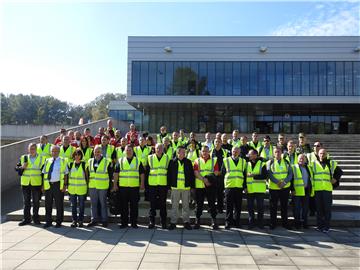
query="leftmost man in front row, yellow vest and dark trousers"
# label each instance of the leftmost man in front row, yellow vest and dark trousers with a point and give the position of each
(29, 167)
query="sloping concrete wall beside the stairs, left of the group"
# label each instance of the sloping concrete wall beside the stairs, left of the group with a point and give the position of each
(10, 153)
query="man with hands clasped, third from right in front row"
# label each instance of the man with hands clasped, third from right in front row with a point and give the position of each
(280, 175)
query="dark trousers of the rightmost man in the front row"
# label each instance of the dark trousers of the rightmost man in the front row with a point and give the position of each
(323, 201)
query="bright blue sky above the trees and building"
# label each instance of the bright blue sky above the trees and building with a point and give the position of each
(77, 50)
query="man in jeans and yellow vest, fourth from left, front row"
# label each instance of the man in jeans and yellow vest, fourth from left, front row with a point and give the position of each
(101, 173)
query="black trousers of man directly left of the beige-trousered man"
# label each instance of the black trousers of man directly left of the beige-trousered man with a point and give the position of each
(157, 197)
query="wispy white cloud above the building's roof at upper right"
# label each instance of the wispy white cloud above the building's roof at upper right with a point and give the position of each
(333, 19)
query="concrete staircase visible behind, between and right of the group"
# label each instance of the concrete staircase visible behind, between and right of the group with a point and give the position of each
(345, 149)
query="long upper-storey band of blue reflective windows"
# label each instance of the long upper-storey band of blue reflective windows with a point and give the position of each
(246, 78)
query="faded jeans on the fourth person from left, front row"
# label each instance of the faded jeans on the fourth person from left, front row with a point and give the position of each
(98, 197)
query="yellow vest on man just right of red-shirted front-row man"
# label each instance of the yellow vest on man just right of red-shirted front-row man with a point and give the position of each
(234, 177)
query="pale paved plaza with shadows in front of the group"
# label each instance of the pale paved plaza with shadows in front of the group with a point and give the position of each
(32, 247)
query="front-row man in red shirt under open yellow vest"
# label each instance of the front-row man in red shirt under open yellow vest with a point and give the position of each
(205, 169)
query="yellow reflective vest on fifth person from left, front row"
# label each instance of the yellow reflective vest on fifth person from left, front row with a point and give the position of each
(129, 173)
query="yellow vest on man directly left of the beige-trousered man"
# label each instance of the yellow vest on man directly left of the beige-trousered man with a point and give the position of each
(158, 170)
